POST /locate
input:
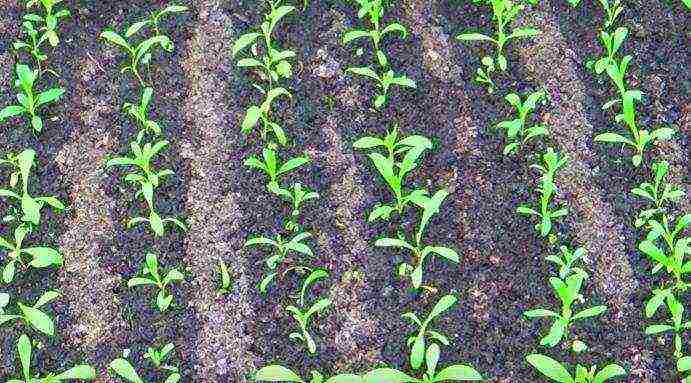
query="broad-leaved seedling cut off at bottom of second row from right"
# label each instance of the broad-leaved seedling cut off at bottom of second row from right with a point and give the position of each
(557, 371)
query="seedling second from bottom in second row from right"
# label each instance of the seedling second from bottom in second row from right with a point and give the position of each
(568, 292)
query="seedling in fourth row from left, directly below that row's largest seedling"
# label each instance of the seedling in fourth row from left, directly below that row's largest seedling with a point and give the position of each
(420, 251)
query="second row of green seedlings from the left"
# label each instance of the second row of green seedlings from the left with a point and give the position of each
(141, 42)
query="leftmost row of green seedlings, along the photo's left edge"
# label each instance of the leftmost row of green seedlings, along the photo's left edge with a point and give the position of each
(25, 218)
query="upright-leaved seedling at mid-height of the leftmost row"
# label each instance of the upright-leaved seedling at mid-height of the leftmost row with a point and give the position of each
(30, 206)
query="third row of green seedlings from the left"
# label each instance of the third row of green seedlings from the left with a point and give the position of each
(289, 251)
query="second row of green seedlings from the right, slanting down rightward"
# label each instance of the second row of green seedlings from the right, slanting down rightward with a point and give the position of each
(569, 277)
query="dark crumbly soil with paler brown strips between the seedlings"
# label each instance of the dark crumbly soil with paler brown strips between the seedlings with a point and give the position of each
(200, 97)
